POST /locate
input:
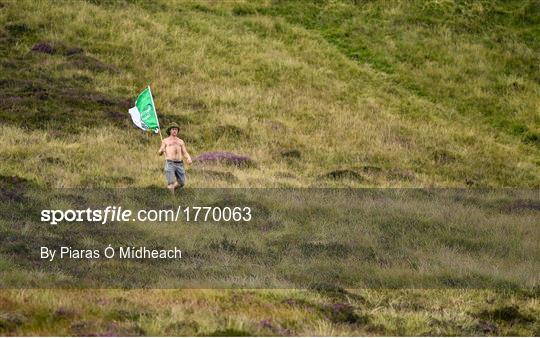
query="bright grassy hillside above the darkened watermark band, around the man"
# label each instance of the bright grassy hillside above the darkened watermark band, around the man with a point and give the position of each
(397, 93)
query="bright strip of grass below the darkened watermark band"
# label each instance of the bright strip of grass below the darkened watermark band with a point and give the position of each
(262, 313)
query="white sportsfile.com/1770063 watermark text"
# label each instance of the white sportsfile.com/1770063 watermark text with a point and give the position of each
(120, 214)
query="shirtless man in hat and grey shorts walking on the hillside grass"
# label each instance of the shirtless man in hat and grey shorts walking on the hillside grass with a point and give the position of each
(175, 151)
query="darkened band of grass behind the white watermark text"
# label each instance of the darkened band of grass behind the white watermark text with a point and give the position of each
(294, 239)
